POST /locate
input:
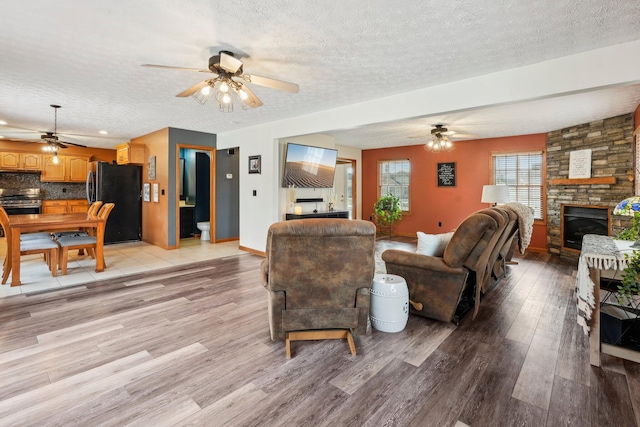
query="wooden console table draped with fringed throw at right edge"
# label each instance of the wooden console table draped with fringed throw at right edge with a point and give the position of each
(598, 253)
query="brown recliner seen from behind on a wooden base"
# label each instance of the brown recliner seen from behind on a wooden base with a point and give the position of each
(318, 273)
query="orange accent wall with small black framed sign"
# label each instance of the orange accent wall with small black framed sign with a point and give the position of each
(431, 204)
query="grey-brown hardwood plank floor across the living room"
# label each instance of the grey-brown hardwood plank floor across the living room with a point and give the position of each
(190, 346)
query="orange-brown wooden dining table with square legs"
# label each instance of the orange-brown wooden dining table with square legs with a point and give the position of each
(53, 222)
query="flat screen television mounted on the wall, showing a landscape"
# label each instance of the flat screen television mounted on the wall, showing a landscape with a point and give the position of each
(309, 167)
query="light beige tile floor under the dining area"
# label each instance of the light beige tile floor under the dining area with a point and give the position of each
(121, 259)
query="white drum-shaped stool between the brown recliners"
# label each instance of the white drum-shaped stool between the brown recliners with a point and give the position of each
(389, 303)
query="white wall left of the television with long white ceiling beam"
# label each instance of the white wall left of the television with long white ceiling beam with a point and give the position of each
(614, 65)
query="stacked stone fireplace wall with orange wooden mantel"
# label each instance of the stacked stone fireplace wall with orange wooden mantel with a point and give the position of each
(612, 170)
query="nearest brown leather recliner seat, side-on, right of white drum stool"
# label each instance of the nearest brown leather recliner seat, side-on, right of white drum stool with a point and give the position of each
(438, 283)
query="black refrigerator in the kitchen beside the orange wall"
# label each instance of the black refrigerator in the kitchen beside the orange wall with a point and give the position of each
(119, 184)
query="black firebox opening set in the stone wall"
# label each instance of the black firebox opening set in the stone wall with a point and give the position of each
(580, 220)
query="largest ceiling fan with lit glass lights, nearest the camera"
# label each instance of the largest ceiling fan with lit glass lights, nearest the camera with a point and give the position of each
(228, 78)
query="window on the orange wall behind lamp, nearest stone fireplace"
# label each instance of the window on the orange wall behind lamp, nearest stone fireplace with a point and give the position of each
(522, 172)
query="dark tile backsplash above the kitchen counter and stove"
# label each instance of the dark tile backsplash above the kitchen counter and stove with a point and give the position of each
(49, 190)
